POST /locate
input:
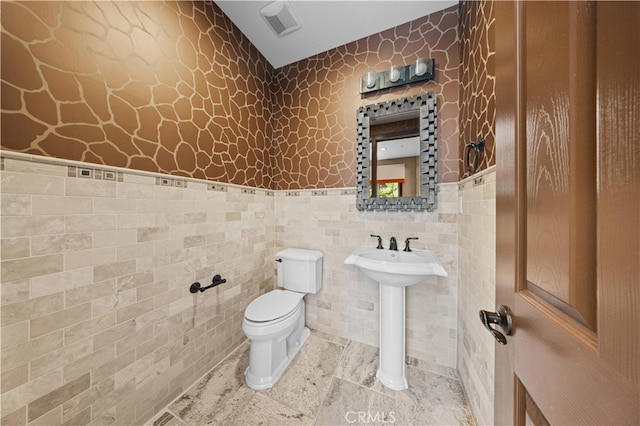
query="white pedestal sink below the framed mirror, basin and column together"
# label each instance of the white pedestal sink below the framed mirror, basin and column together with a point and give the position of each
(394, 271)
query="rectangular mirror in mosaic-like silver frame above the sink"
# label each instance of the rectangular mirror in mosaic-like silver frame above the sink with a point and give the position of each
(397, 154)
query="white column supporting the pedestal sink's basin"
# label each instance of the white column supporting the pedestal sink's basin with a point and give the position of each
(391, 372)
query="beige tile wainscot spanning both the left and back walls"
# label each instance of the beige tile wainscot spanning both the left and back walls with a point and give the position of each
(98, 324)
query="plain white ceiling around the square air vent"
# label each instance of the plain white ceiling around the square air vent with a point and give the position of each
(325, 24)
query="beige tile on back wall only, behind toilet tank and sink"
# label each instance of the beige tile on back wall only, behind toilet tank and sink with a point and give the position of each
(348, 305)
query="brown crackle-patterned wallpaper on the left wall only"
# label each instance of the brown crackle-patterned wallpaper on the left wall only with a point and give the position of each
(169, 87)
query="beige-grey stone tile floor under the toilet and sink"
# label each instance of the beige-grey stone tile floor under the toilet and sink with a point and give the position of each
(330, 382)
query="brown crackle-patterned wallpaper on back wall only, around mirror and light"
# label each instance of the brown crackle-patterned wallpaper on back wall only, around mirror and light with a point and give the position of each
(315, 124)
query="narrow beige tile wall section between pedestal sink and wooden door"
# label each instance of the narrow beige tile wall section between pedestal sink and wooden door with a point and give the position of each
(477, 254)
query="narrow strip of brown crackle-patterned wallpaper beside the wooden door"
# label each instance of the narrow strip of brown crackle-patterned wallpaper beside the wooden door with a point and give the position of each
(477, 80)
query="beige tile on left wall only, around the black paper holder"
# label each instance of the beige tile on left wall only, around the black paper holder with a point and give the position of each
(98, 324)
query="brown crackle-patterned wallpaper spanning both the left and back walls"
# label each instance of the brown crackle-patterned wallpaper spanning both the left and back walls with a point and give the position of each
(174, 87)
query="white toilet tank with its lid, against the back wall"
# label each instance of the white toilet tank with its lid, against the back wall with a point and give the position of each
(300, 270)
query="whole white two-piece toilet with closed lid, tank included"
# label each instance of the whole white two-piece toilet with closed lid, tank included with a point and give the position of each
(274, 323)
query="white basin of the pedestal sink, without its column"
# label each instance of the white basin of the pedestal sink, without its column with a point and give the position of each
(396, 268)
